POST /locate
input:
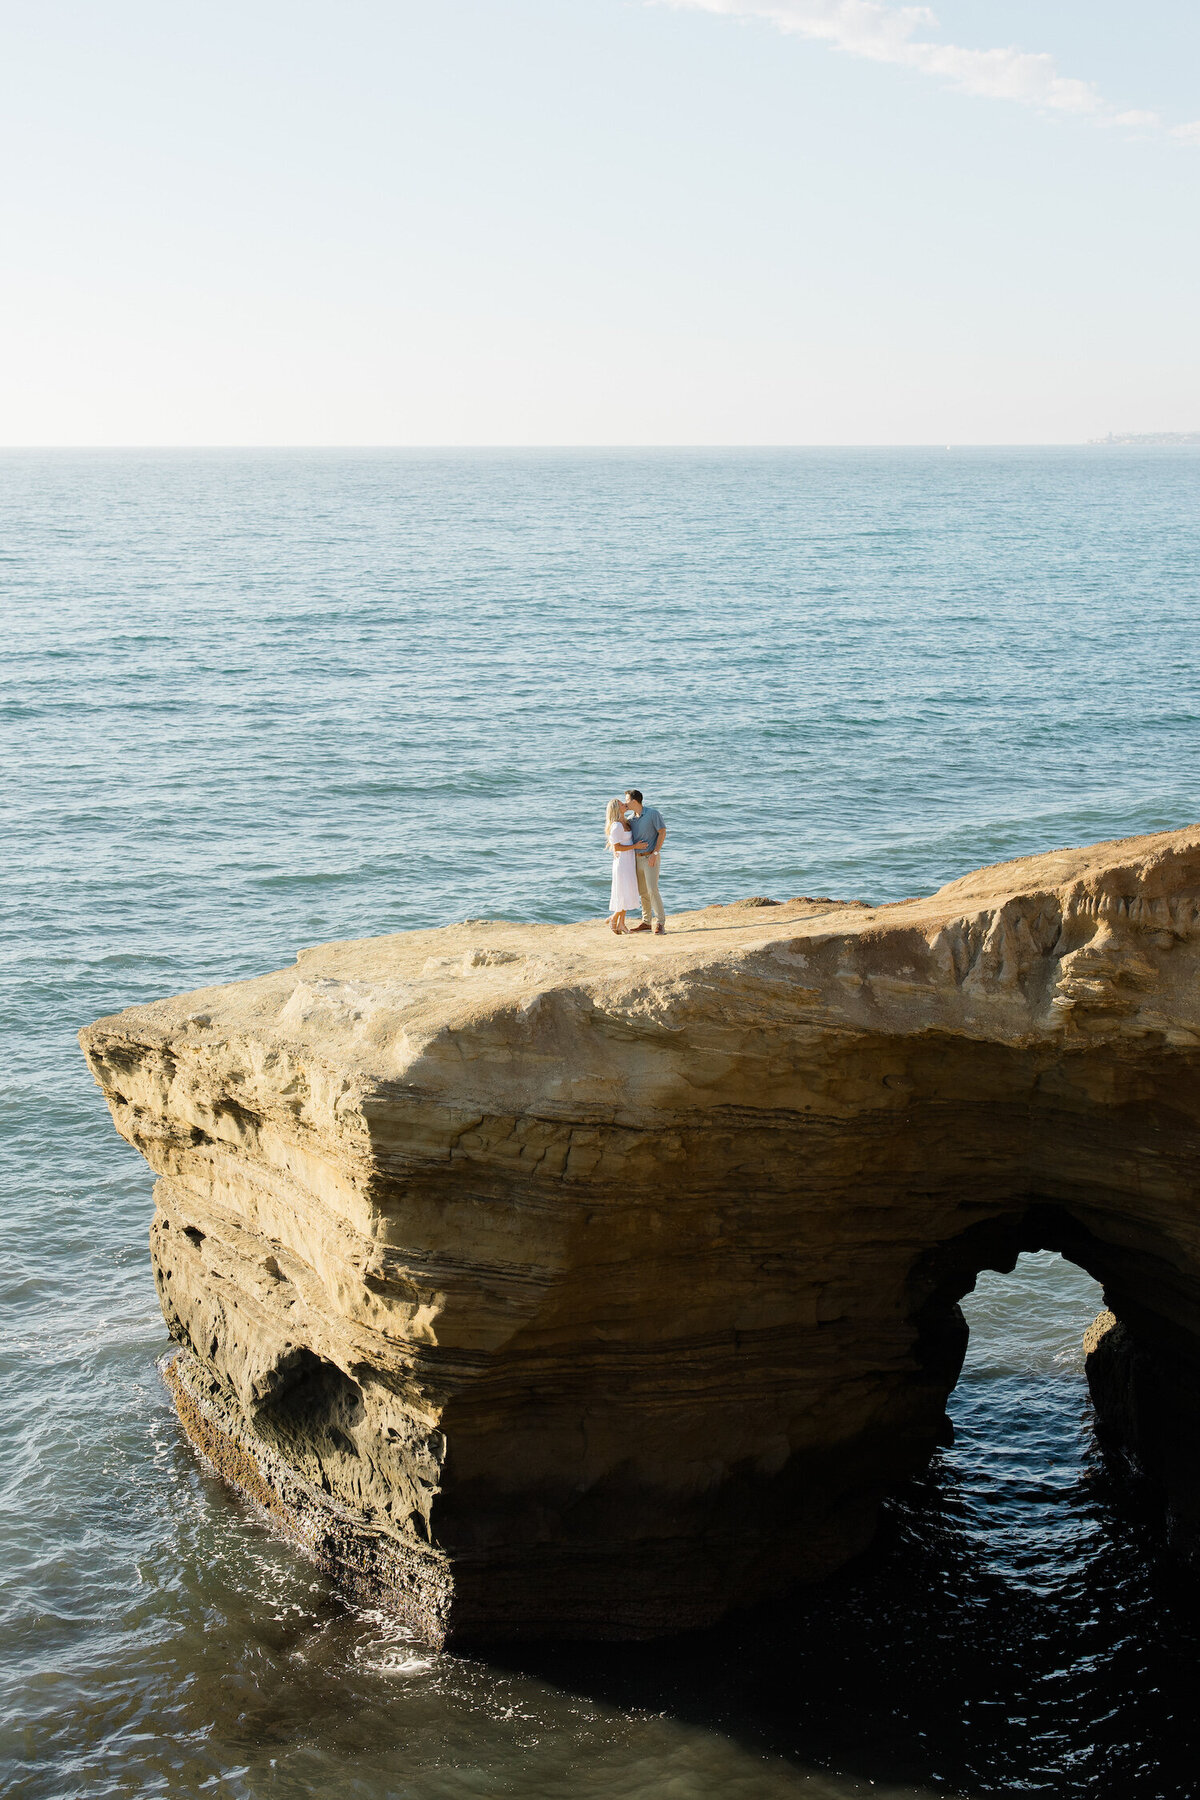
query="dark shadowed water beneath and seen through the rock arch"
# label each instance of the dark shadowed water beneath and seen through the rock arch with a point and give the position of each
(1019, 1626)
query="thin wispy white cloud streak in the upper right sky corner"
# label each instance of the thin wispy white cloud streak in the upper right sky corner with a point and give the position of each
(902, 35)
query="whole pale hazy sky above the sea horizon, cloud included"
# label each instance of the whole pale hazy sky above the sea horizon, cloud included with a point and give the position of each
(598, 222)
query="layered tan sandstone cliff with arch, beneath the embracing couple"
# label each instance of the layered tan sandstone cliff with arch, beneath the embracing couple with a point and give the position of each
(560, 1284)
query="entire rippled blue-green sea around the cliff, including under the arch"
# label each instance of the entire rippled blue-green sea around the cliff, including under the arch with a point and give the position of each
(256, 701)
